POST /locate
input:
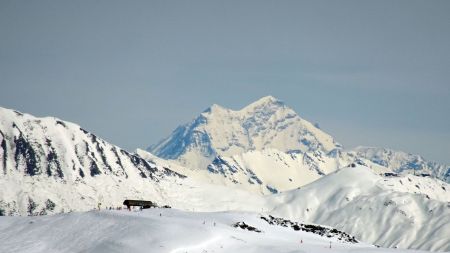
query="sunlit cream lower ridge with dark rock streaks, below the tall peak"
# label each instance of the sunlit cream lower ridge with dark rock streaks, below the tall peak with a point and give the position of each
(272, 171)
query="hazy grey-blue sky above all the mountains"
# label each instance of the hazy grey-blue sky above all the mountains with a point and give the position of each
(373, 73)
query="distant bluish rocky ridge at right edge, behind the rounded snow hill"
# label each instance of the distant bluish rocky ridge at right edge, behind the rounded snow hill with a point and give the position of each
(398, 161)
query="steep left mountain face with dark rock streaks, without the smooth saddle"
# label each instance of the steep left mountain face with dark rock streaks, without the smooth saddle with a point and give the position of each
(48, 165)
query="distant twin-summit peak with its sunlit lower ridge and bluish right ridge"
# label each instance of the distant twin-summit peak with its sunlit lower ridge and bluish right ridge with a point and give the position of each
(267, 148)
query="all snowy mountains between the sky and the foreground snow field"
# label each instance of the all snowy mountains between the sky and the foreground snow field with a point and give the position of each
(263, 158)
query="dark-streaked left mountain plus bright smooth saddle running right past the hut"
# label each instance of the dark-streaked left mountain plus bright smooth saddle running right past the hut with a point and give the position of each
(50, 166)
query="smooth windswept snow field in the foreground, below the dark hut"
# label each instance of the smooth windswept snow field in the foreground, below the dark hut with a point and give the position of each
(173, 232)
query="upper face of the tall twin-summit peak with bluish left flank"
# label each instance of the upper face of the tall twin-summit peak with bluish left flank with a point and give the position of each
(266, 123)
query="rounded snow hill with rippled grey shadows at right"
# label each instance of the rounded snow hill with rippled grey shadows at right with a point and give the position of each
(373, 208)
